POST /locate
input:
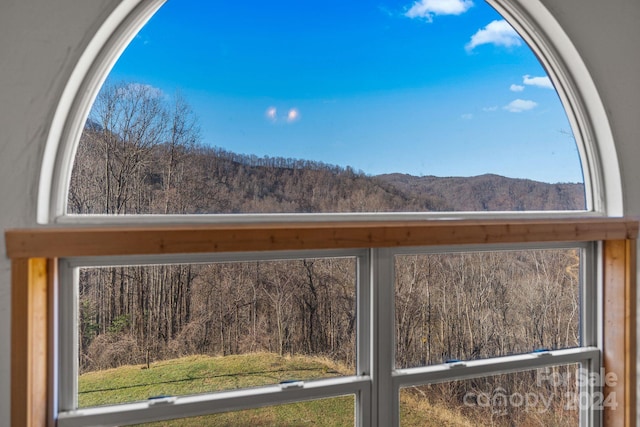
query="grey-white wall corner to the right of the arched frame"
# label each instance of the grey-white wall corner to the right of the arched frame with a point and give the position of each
(607, 35)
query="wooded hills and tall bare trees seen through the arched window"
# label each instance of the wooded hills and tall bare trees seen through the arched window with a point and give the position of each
(140, 155)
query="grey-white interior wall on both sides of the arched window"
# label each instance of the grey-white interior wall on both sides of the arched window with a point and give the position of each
(42, 40)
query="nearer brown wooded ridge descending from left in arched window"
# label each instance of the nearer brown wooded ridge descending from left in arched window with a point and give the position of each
(201, 179)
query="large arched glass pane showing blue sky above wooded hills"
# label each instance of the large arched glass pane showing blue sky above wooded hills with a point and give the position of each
(334, 107)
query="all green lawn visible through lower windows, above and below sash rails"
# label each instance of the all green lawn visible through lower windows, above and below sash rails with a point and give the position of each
(203, 374)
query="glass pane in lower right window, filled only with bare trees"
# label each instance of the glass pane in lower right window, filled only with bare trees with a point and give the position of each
(473, 305)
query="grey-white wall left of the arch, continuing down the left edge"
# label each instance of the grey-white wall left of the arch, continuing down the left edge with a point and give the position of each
(40, 42)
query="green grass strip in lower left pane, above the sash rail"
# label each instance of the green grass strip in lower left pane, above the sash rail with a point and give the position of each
(198, 374)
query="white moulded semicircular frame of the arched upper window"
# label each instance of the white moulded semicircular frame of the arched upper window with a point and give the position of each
(543, 34)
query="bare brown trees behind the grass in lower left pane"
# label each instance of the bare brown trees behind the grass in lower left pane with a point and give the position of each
(141, 314)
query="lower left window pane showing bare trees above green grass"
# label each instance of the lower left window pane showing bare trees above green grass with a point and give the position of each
(146, 331)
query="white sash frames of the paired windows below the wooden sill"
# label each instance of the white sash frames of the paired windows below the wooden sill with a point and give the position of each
(377, 383)
